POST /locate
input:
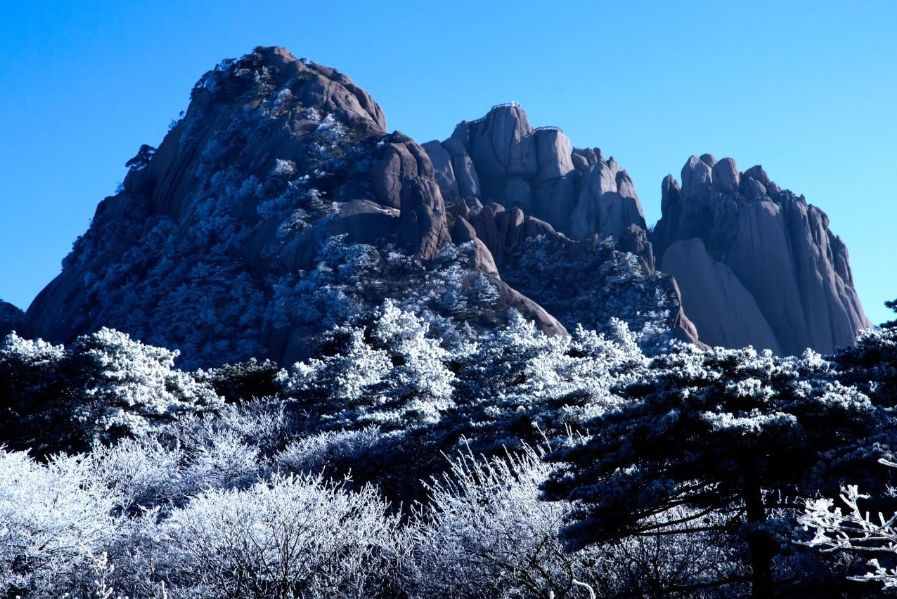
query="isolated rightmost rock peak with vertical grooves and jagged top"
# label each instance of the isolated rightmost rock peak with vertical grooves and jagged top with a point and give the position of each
(756, 264)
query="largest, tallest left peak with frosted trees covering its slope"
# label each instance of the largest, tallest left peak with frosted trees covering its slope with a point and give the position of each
(275, 209)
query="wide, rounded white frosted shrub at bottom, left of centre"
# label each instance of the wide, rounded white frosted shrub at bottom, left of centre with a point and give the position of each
(295, 536)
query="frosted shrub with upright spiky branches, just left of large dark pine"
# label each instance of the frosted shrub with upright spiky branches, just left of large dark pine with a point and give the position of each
(486, 534)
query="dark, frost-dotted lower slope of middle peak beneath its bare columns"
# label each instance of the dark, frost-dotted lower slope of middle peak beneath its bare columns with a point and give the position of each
(584, 282)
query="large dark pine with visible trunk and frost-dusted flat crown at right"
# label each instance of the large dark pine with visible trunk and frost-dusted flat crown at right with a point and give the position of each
(719, 432)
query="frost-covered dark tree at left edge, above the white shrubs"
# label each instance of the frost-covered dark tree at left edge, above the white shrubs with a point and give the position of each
(104, 386)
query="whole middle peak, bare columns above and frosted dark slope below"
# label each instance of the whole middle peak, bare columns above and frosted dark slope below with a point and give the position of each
(563, 225)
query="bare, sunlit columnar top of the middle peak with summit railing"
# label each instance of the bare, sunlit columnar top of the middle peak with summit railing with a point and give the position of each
(501, 158)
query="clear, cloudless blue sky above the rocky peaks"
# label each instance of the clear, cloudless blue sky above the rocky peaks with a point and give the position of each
(806, 88)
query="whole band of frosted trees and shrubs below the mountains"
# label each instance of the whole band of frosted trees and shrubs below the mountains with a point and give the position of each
(398, 464)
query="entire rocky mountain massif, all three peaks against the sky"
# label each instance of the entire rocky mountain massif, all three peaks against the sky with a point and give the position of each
(279, 207)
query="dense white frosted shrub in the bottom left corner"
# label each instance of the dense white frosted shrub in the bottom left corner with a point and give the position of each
(52, 518)
